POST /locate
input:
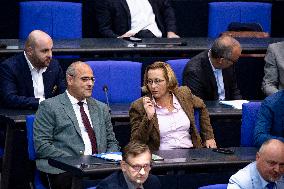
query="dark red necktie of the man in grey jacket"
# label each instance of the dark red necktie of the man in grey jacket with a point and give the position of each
(88, 127)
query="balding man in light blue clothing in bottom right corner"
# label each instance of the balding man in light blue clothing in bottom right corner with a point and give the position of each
(266, 172)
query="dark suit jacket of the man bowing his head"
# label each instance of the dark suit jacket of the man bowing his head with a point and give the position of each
(199, 77)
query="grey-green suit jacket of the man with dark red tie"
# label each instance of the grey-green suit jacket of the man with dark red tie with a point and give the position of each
(57, 132)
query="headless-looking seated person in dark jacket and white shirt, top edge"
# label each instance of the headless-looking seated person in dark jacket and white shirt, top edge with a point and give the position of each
(144, 18)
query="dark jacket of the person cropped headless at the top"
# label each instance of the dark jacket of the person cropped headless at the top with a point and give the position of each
(113, 17)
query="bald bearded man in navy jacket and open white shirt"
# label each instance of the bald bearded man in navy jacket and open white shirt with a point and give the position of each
(28, 78)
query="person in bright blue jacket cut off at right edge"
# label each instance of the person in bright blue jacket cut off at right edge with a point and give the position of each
(270, 120)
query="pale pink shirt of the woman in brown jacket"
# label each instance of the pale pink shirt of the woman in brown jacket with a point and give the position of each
(174, 127)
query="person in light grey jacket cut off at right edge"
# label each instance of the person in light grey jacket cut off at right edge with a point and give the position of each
(273, 79)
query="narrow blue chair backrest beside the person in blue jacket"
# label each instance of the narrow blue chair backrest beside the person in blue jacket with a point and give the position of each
(249, 117)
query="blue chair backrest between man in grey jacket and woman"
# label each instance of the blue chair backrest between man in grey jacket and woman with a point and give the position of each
(122, 78)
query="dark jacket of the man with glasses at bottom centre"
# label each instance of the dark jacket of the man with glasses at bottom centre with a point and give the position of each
(117, 181)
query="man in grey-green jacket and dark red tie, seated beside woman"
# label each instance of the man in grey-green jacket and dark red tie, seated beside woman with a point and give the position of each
(71, 124)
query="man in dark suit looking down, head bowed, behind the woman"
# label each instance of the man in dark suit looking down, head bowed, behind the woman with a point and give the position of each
(210, 75)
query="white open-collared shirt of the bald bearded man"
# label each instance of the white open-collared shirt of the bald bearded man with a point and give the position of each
(37, 80)
